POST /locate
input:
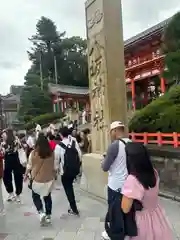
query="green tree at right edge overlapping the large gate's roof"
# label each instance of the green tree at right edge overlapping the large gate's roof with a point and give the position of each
(171, 49)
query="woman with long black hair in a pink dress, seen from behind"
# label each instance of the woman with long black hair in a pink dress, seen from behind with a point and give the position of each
(142, 184)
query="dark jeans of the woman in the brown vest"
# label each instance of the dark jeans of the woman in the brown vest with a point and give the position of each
(38, 203)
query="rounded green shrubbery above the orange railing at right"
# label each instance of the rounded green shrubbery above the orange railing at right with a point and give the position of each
(162, 115)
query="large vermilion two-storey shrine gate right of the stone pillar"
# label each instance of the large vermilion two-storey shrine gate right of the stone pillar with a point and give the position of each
(144, 66)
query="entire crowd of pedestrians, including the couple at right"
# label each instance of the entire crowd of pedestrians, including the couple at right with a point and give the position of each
(134, 211)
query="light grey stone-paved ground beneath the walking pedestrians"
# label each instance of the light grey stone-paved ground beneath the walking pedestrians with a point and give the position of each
(22, 223)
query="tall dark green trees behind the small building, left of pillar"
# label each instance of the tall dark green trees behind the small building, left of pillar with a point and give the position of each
(48, 45)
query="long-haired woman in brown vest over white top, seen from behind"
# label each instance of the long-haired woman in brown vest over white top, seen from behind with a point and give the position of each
(43, 168)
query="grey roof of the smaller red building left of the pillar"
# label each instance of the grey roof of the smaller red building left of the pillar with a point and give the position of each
(54, 89)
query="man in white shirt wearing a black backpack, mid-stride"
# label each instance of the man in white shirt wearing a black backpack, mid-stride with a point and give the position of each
(70, 158)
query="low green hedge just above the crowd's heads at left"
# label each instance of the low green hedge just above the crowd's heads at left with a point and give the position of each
(43, 120)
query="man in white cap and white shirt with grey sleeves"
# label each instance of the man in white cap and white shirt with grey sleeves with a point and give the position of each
(115, 164)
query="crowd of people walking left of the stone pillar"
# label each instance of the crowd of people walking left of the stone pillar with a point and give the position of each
(41, 158)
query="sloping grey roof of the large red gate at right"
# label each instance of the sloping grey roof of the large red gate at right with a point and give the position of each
(158, 28)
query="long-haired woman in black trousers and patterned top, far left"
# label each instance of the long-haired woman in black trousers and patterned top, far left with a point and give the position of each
(12, 165)
